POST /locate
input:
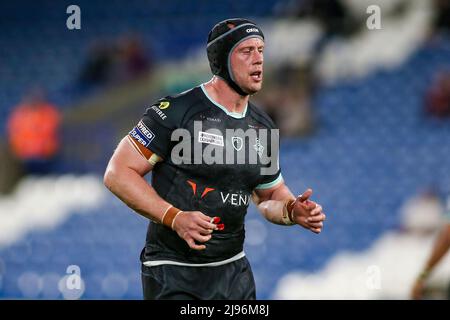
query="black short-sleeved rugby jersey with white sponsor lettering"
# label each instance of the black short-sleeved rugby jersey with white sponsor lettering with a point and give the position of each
(200, 172)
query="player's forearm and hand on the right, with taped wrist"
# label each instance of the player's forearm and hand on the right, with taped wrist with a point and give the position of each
(278, 205)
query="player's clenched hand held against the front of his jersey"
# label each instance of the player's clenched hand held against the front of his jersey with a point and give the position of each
(194, 226)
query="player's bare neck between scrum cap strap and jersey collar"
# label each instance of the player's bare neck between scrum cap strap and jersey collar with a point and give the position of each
(223, 94)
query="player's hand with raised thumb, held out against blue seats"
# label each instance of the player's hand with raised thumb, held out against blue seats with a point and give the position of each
(308, 213)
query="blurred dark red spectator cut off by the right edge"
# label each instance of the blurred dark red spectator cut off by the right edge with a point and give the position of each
(438, 96)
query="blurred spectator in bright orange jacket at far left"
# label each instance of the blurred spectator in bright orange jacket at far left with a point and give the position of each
(33, 133)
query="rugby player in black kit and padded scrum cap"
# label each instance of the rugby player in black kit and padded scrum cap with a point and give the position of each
(210, 151)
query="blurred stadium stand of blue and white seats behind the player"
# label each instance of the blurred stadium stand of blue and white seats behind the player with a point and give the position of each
(364, 116)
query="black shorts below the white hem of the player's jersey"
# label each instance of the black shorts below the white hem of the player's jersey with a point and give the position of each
(232, 281)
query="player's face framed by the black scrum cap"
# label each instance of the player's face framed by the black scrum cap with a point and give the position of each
(247, 64)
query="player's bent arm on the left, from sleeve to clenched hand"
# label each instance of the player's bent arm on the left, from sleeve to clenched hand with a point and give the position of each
(124, 177)
